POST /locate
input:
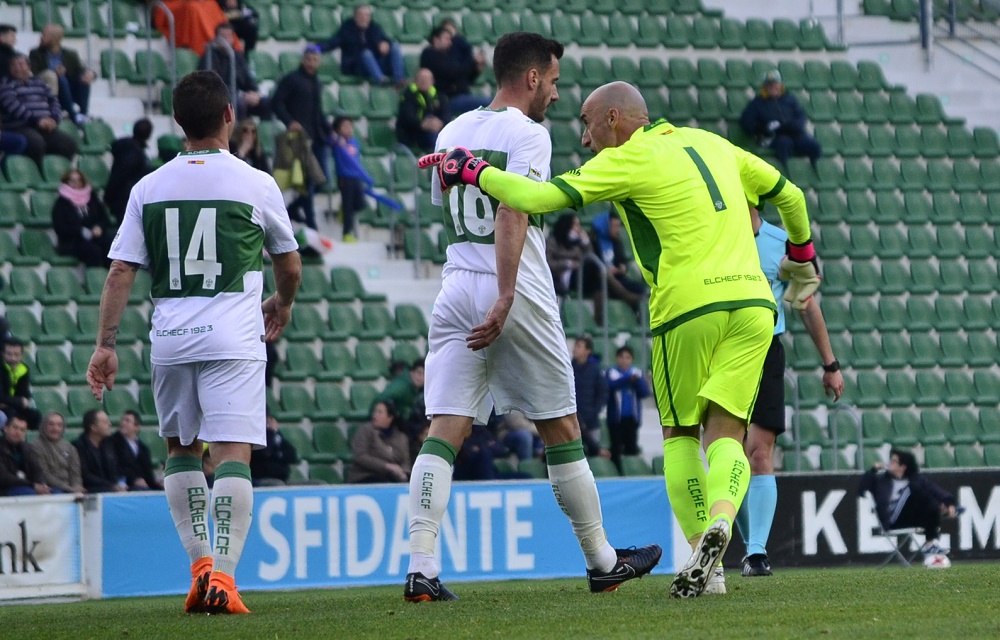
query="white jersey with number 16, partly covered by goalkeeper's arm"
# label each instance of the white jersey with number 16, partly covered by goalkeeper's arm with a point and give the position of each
(511, 141)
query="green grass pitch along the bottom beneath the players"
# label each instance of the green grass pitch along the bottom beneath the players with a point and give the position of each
(854, 603)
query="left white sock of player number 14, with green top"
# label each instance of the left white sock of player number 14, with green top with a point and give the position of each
(187, 496)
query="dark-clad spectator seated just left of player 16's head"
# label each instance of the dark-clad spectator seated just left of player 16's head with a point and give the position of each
(455, 67)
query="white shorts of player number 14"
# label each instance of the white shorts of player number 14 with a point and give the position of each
(214, 401)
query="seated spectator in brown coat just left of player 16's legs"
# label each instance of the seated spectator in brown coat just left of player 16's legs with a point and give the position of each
(381, 451)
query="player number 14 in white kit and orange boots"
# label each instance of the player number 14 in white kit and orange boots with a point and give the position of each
(199, 224)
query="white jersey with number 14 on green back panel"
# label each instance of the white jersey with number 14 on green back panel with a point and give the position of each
(199, 224)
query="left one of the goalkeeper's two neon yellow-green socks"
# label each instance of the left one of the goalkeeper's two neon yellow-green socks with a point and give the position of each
(684, 474)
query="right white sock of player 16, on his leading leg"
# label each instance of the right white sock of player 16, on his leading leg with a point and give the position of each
(576, 492)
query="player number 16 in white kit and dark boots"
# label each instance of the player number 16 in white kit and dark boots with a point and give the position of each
(496, 329)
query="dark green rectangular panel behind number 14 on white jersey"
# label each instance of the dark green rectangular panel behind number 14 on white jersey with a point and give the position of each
(201, 248)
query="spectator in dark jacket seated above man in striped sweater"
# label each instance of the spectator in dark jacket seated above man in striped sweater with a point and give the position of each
(63, 72)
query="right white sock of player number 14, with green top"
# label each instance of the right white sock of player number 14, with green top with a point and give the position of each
(232, 504)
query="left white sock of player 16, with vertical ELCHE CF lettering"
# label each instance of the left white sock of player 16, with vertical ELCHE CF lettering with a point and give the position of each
(430, 490)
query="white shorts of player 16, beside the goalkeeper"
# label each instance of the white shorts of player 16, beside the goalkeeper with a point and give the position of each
(528, 368)
